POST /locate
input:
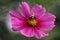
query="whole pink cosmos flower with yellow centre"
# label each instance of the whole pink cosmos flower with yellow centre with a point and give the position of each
(32, 23)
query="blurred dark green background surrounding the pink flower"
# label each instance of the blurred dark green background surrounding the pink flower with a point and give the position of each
(52, 6)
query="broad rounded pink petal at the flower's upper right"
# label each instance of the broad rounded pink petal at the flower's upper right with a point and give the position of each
(38, 10)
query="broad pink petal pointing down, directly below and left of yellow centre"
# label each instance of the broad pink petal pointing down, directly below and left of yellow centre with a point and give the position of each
(27, 31)
